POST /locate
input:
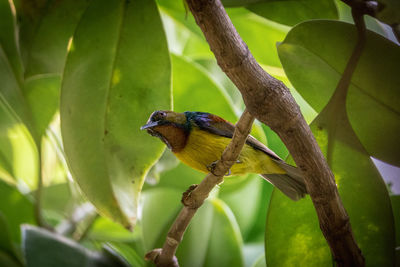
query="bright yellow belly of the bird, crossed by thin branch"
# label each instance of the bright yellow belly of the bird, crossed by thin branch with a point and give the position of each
(204, 148)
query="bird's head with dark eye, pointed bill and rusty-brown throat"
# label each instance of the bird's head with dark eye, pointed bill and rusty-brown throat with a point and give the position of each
(171, 127)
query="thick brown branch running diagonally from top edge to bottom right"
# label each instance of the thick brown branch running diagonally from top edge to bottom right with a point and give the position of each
(270, 101)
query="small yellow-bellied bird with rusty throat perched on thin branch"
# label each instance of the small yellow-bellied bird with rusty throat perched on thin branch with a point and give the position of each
(198, 140)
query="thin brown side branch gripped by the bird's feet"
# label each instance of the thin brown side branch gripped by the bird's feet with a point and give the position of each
(194, 197)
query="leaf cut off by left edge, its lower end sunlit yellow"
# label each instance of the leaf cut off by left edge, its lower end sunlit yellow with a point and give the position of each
(17, 146)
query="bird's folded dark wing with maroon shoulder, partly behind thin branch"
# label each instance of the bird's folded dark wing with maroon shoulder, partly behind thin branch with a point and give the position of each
(216, 125)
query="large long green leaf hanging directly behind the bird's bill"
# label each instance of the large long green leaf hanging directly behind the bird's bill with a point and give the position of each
(117, 73)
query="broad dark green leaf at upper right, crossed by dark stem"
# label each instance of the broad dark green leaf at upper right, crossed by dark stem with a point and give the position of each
(314, 68)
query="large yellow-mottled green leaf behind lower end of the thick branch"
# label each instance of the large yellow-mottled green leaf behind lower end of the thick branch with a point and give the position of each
(293, 231)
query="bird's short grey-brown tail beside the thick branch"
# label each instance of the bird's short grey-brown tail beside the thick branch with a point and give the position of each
(291, 183)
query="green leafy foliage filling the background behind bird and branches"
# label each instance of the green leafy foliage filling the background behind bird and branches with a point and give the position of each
(81, 185)
